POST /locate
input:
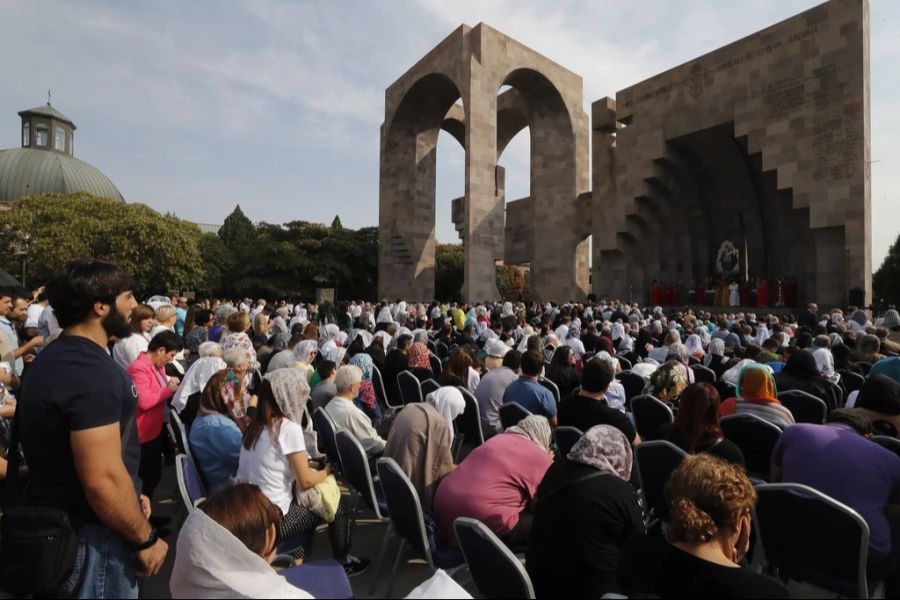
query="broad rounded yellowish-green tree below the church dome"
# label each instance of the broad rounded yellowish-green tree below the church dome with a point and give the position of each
(160, 252)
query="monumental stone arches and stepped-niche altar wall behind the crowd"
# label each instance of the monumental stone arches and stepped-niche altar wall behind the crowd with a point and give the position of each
(764, 142)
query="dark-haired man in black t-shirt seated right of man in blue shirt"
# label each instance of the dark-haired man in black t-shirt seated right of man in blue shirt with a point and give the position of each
(589, 408)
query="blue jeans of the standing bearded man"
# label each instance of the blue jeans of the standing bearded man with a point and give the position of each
(104, 566)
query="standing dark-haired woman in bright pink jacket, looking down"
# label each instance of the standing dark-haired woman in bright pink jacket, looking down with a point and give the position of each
(154, 389)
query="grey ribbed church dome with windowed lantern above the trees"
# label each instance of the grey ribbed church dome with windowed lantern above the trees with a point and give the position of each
(46, 163)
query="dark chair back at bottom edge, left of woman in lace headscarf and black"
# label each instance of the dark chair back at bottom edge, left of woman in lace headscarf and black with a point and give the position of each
(495, 569)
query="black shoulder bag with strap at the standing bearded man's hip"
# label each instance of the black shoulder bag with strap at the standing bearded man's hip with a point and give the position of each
(39, 543)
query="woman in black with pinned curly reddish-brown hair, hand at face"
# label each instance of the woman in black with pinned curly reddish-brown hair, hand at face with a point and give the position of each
(708, 534)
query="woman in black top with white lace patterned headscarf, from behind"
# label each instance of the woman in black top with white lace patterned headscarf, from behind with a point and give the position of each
(586, 509)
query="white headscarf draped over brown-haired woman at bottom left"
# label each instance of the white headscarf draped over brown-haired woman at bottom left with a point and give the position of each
(212, 563)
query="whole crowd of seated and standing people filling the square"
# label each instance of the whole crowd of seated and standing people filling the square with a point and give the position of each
(96, 376)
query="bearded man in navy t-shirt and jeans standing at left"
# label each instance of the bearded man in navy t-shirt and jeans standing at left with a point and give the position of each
(76, 404)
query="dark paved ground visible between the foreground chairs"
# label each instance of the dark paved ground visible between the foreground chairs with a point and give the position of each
(367, 537)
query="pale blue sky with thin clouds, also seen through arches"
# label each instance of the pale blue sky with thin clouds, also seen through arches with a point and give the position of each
(193, 107)
